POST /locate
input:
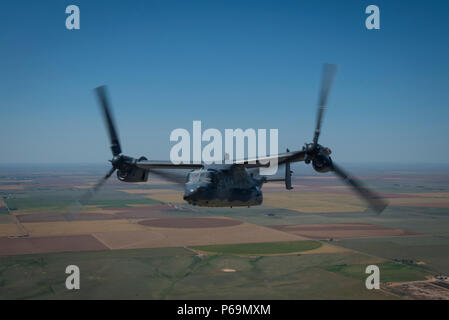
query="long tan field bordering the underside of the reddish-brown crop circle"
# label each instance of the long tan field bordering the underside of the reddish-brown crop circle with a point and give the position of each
(127, 233)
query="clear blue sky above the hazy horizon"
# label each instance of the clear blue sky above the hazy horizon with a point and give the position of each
(230, 64)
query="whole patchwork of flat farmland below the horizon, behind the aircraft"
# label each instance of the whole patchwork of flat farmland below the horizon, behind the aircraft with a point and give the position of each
(141, 241)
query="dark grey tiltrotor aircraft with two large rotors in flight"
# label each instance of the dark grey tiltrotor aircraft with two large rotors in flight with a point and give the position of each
(231, 184)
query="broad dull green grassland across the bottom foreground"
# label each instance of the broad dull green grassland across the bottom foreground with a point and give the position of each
(177, 273)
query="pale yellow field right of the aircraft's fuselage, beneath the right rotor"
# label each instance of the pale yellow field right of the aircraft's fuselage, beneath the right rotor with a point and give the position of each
(313, 202)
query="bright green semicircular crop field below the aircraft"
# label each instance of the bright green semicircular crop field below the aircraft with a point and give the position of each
(261, 248)
